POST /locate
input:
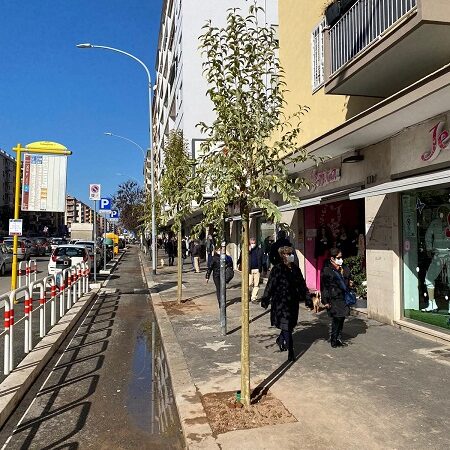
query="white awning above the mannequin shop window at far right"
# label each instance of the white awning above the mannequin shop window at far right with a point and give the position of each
(405, 184)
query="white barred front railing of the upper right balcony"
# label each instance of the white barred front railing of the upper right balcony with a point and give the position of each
(363, 24)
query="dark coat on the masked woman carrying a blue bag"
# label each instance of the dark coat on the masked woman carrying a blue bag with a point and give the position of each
(332, 292)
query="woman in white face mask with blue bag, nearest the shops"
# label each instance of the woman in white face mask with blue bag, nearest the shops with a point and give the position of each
(334, 276)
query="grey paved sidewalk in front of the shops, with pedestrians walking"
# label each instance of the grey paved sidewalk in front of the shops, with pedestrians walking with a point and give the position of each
(387, 390)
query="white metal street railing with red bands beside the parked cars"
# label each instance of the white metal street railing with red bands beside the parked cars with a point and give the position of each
(61, 290)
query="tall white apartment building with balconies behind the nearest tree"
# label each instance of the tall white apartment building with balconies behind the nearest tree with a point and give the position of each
(180, 100)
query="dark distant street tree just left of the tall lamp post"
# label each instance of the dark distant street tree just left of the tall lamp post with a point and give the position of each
(129, 201)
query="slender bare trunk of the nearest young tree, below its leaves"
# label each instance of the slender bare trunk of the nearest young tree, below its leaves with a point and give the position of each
(245, 338)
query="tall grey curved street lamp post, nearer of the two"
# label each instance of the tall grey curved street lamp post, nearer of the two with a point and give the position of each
(152, 162)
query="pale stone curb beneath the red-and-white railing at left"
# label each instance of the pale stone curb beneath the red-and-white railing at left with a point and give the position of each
(16, 384)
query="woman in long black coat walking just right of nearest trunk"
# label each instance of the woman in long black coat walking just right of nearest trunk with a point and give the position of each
(285, 289)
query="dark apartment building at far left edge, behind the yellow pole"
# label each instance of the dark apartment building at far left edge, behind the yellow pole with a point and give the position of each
(7, 172)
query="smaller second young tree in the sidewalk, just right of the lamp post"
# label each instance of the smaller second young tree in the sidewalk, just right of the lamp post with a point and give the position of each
(178, 167)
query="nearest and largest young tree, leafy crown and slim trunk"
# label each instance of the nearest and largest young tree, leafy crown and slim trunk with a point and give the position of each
(251, 142)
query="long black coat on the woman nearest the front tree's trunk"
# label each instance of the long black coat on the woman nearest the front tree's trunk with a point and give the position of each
(286, 288)
